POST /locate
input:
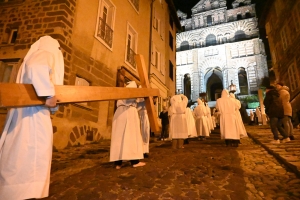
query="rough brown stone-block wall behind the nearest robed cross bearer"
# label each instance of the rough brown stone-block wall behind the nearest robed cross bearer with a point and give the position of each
(74, 123)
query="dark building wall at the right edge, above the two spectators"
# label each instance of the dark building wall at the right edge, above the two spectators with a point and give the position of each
(282, 23)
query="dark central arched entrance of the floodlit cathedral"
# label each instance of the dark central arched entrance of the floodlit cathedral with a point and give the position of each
(214, 85)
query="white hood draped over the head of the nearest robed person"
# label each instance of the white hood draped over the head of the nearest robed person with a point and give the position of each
(47, 43)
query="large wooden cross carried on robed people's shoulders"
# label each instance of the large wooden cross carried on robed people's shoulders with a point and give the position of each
(21, 95)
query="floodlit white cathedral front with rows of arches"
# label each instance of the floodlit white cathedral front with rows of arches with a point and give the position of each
(219, 47)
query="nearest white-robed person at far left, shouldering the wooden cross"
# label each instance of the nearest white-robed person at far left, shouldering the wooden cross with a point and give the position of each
(26, 141)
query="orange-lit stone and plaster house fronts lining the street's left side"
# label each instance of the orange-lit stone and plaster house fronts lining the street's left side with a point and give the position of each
(98, 39)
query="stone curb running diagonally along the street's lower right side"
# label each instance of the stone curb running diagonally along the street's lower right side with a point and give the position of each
(283, 161)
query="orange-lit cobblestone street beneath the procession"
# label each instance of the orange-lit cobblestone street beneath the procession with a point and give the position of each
(202, 170)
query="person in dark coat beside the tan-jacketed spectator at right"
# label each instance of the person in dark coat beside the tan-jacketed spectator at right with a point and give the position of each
(274, 110)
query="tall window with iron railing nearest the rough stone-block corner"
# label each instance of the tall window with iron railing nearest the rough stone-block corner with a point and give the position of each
(105, 22)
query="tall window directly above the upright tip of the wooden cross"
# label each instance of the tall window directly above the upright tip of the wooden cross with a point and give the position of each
(131, 46)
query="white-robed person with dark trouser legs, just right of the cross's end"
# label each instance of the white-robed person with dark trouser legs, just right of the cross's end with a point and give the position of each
(178, 121)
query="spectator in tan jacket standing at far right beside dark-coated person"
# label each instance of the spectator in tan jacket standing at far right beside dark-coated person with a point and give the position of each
(287, 109)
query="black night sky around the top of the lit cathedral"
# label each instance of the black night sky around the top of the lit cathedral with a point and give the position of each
(186, 5)
